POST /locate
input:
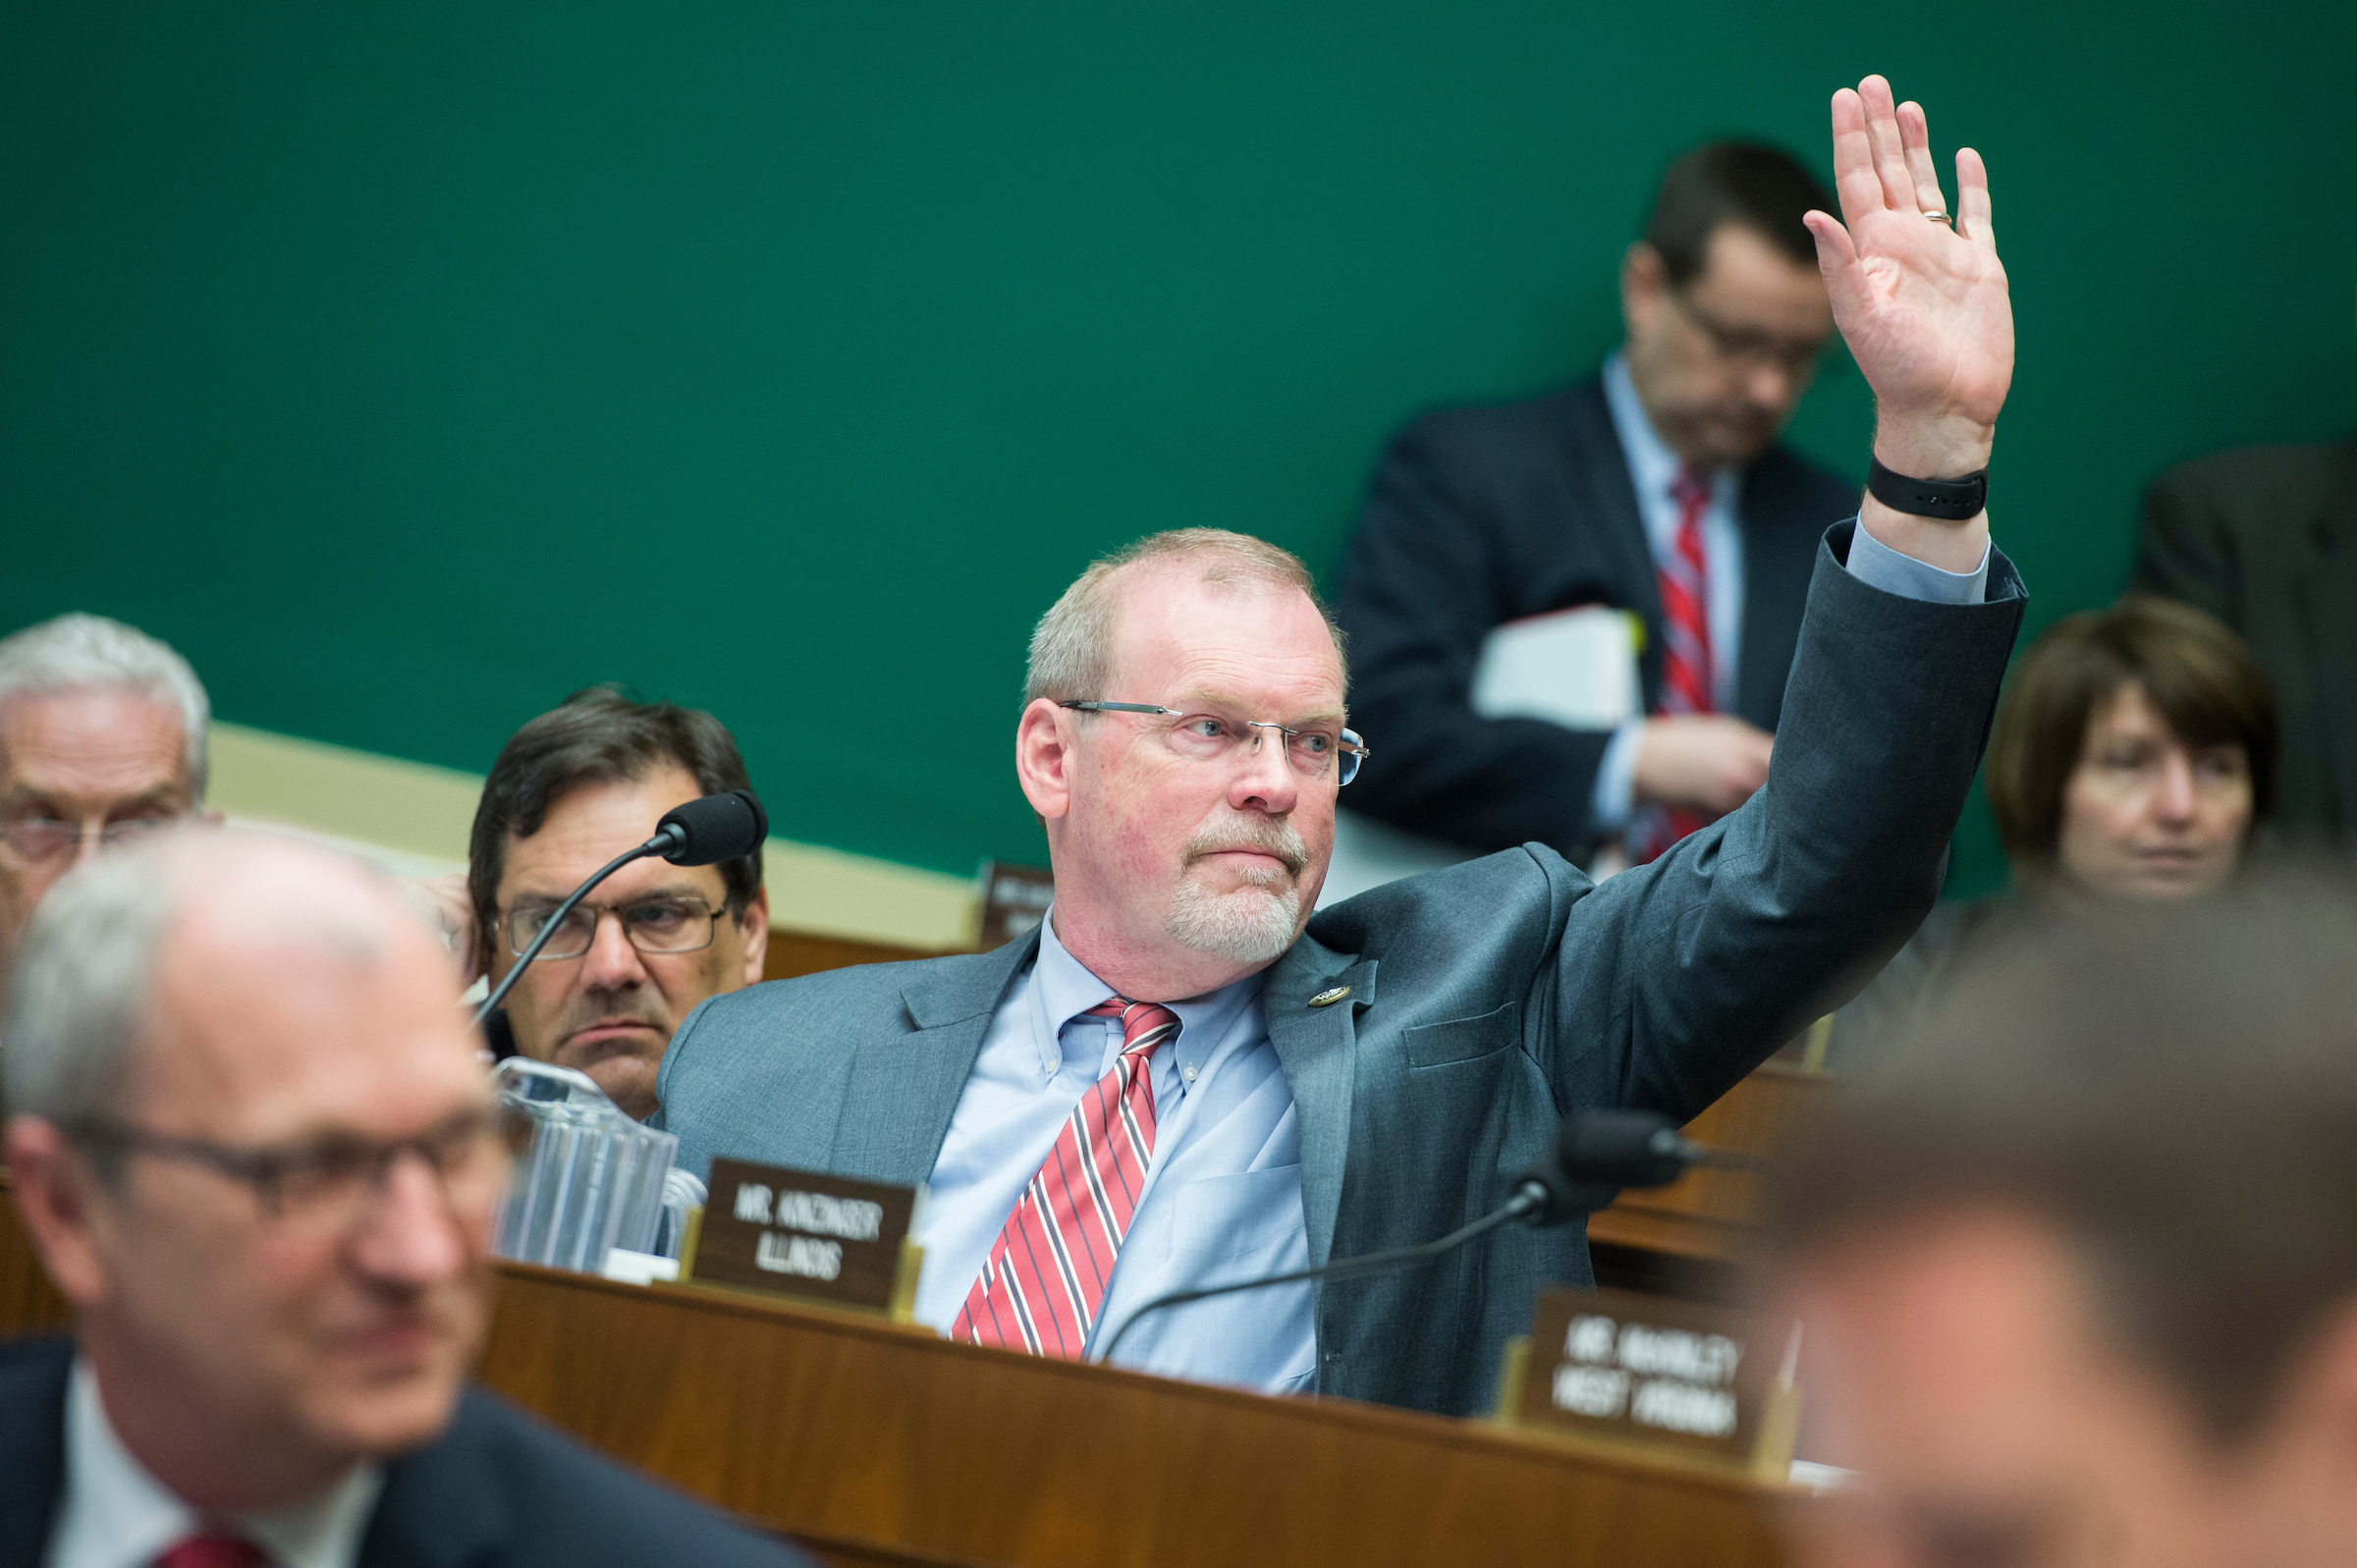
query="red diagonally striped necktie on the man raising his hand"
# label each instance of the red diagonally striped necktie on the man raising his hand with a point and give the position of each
(1052, 1263)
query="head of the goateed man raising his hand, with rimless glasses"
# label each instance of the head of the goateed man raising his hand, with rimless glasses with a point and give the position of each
(1191, 838)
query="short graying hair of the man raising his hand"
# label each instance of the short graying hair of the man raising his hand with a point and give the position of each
(1074, 643)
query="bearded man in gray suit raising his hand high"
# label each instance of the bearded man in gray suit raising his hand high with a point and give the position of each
(1184, 1081)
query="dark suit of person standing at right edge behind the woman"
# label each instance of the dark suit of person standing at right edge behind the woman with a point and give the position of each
(2266, 541)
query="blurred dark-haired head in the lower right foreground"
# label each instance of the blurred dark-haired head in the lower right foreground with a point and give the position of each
(2080, 1272)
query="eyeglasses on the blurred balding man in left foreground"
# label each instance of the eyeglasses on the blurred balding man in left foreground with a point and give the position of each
(331, 1185)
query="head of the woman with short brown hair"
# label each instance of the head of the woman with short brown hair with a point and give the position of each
(2134, 753)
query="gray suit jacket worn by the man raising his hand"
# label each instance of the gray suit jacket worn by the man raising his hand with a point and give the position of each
(1486, 1001)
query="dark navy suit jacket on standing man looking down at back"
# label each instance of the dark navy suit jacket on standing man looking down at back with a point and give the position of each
(1505, 510)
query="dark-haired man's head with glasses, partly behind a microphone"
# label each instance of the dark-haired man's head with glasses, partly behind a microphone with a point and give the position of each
(574, 789)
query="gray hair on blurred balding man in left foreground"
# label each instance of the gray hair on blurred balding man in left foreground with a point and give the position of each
(79, 994)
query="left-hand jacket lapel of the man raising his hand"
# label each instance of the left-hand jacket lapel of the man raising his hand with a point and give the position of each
(904, 1088)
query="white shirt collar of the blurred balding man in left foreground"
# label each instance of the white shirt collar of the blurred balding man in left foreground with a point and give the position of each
(124, 1517)
